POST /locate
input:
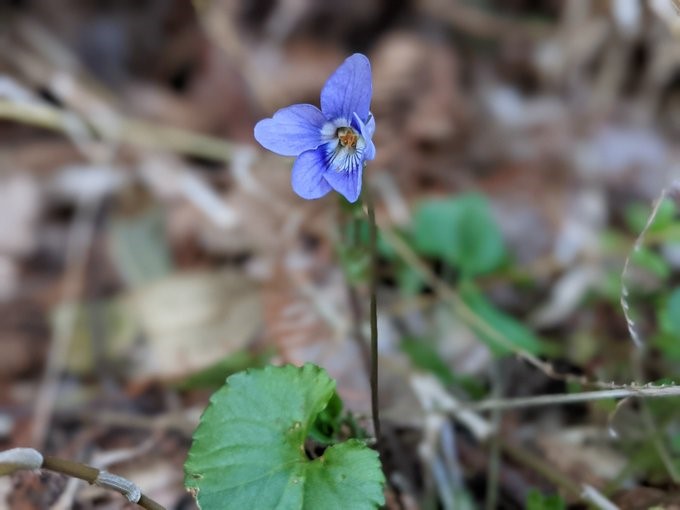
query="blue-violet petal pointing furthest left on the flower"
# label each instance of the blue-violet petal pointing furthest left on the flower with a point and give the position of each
(292, 130)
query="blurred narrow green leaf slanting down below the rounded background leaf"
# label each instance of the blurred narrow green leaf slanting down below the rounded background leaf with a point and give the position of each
(517, 335)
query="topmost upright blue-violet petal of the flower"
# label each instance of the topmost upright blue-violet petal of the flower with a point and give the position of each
(348, 90)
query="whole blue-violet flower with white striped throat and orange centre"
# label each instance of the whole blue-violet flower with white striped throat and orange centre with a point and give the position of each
(333, 144)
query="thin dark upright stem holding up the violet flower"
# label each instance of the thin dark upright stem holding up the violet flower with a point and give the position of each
(373, 249)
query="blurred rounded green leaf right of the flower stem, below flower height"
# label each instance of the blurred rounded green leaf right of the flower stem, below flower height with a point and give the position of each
(460, 231)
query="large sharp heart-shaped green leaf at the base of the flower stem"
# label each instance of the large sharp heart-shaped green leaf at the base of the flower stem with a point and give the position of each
(248, 450)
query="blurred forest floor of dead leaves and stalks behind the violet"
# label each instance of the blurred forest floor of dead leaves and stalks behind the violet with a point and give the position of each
(149, 248)
